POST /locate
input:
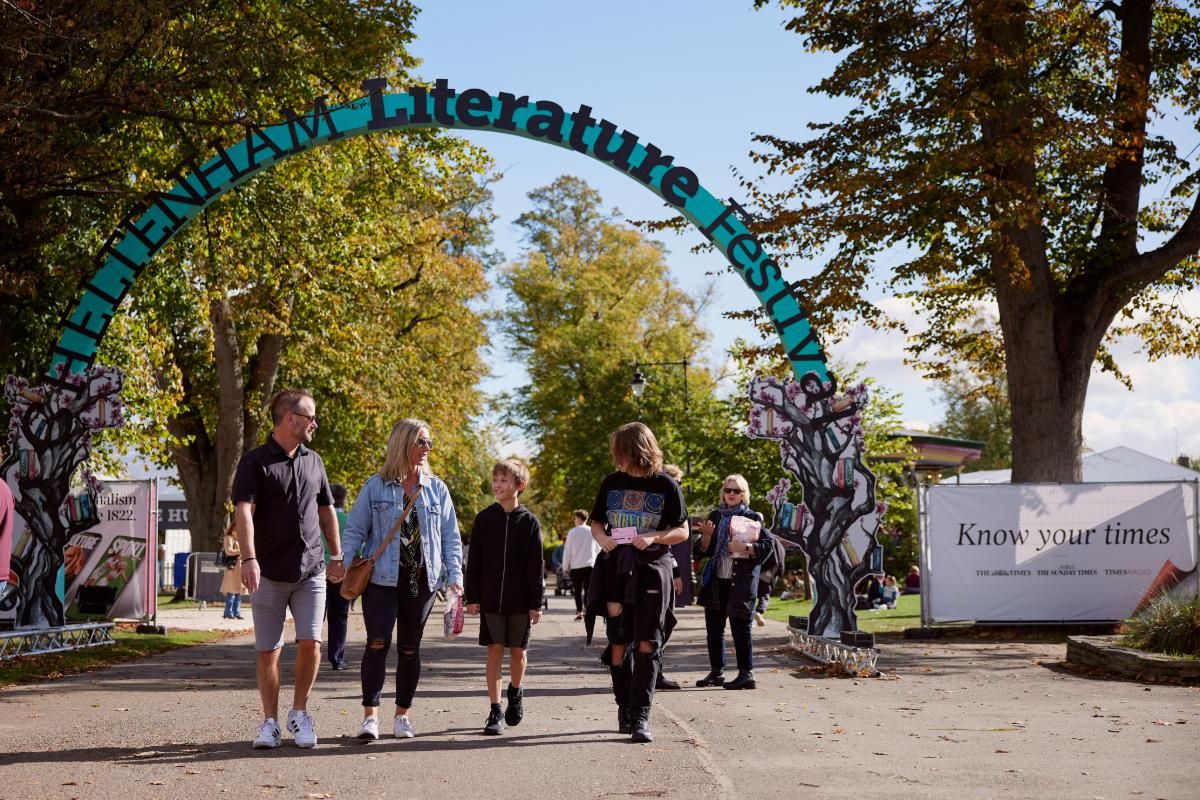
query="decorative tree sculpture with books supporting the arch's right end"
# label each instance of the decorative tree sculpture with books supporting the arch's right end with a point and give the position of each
(821, 443)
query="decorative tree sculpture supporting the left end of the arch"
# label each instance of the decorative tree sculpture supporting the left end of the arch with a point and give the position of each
(50, 437)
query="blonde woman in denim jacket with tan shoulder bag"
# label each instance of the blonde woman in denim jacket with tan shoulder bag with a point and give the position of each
(425, 555)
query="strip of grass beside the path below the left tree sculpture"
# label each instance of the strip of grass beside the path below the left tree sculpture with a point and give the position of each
(129, 647)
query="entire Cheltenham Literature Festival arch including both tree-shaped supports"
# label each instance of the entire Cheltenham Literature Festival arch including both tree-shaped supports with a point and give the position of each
(53, 418)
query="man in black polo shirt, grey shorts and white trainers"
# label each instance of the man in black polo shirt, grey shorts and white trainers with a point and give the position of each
(284, 507)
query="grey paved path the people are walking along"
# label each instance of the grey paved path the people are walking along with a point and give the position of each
(951, 720)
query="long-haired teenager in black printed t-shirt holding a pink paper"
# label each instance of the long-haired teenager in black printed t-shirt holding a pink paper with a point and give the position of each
(633, 582)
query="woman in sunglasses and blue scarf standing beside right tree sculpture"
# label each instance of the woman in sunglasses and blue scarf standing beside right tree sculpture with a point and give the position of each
(730, 582)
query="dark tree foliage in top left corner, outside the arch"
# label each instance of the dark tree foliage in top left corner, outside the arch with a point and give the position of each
(94, 93)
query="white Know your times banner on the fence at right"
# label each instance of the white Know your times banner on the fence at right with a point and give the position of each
(1081, 552)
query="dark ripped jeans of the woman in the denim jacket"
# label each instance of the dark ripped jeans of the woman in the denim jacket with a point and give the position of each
(386, 609)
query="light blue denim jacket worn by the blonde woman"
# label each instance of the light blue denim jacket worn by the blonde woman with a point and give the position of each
(376, 510)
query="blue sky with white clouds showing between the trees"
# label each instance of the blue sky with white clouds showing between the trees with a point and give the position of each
(699, 80)
